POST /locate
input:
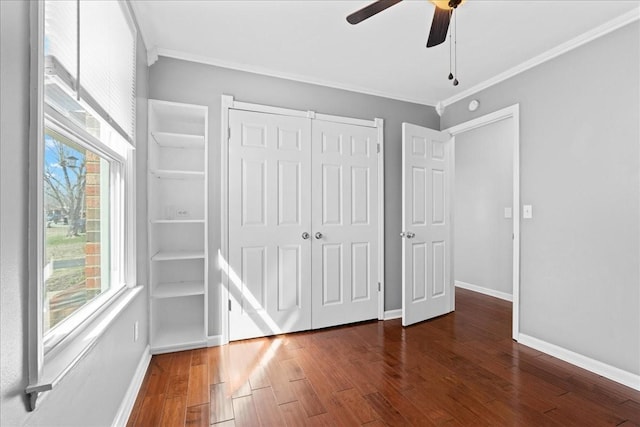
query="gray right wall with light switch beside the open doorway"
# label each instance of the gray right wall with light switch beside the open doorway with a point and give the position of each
(580, 167)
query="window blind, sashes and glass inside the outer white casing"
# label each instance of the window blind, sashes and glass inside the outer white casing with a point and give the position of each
(88, 124)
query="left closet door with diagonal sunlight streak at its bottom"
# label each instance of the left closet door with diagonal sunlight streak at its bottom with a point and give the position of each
(269, 211)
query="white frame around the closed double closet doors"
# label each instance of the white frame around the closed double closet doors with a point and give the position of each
(229, 103)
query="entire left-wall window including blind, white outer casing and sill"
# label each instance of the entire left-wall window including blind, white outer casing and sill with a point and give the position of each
(85, 198)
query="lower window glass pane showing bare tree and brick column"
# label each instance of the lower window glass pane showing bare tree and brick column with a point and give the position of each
(77, 227)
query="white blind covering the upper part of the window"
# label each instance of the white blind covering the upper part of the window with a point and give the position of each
(106, 54)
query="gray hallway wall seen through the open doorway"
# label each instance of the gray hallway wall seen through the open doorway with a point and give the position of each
(483, 188)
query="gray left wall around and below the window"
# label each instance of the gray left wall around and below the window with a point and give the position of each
(93, 391)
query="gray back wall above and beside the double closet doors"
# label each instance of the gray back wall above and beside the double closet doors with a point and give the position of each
(181, 81)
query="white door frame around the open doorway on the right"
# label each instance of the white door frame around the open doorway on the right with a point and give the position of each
(511, 112)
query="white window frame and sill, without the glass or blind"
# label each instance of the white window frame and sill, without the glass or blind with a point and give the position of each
(50, 359)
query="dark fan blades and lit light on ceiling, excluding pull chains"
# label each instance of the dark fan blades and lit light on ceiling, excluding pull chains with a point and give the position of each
(439, 25)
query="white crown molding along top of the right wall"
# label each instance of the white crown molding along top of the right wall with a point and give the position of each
(604, 29)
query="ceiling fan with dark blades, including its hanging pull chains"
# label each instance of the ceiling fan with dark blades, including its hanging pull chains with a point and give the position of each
(442, 15)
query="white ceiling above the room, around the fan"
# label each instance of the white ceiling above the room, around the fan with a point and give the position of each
(310, 40)
